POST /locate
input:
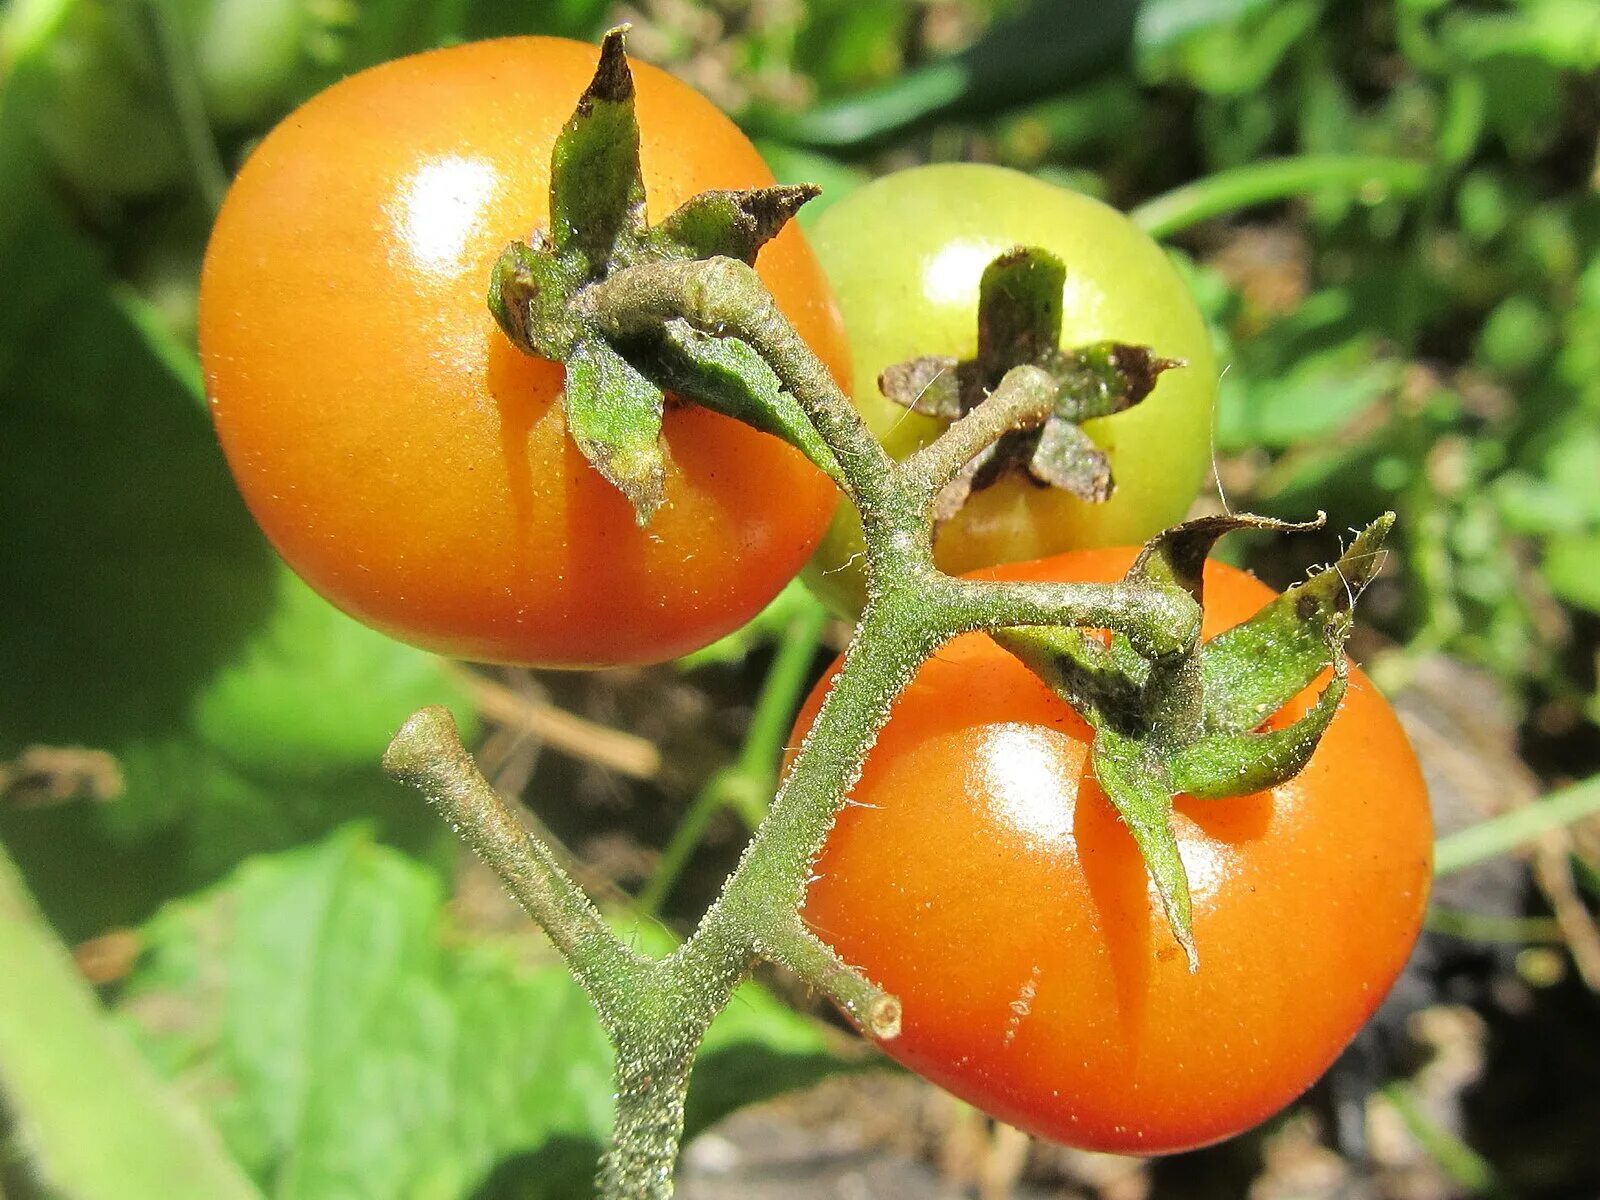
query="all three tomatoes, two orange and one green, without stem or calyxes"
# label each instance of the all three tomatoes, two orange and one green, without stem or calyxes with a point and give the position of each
(415, 466)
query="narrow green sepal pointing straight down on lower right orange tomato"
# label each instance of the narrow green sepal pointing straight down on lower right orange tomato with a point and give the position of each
(1135, 780)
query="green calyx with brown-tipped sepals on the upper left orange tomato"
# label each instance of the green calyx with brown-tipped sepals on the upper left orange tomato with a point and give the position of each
(615, 394)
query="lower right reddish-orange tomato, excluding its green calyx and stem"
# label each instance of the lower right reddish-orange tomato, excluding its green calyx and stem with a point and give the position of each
(985, 879)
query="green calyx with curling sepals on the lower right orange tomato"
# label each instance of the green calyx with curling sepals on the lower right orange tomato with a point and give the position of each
(1193, 724)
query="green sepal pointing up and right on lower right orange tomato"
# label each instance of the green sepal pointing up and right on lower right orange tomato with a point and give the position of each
(1254, 670)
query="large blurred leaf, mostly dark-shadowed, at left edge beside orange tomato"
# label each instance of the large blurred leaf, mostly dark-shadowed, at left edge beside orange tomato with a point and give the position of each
(148, 618)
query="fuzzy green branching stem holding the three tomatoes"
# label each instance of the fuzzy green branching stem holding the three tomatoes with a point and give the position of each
(658, 1012)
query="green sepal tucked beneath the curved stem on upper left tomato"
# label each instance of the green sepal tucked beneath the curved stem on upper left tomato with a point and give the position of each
(729, 377)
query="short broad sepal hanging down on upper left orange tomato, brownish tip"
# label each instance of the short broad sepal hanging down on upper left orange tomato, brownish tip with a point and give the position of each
(614, 415)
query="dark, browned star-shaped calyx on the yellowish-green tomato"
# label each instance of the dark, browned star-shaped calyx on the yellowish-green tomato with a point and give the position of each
(1020, 313)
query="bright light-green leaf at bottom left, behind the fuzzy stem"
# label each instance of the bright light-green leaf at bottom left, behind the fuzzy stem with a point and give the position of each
(356, 1046)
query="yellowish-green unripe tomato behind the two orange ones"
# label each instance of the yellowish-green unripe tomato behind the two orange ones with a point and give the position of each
(906, 255)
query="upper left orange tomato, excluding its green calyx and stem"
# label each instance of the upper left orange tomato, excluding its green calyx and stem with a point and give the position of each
(401, 454)
